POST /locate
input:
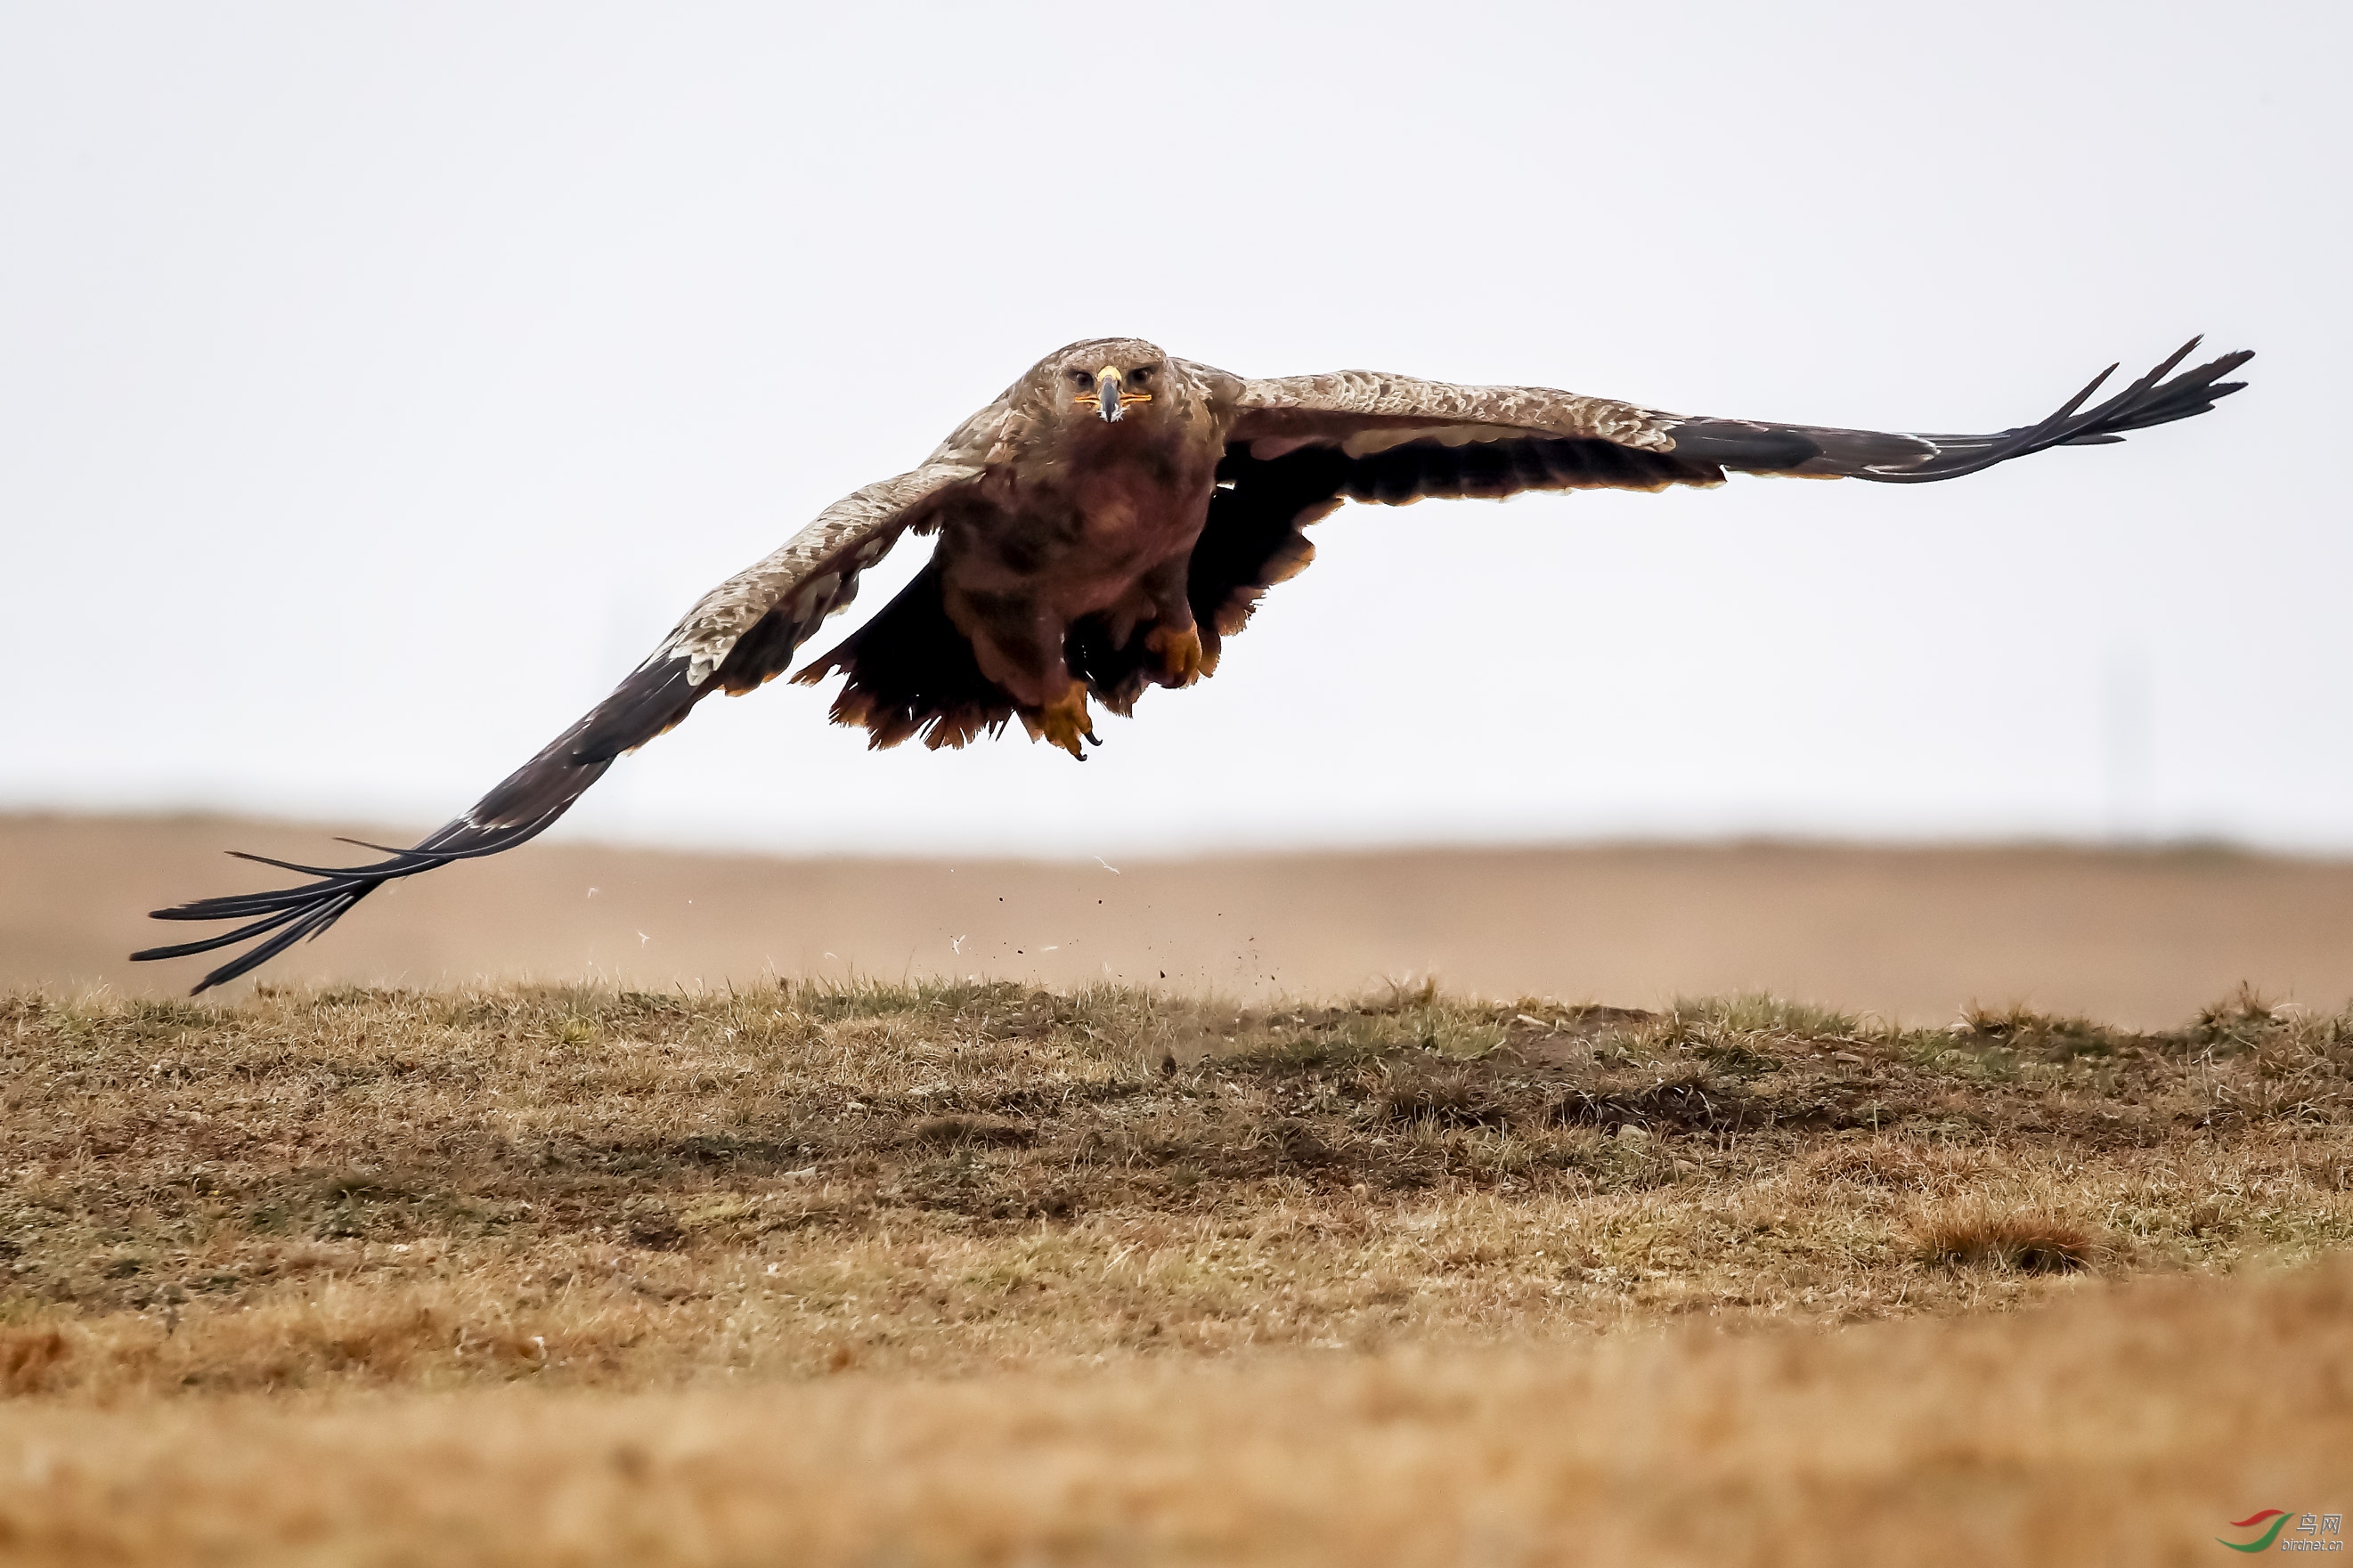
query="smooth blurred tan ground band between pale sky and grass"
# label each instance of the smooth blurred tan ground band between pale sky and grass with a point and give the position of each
(1914, 934)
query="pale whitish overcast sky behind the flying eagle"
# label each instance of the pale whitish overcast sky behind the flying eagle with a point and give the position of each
(380, 382)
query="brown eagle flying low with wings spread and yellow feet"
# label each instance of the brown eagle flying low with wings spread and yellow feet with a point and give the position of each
(1102, 528)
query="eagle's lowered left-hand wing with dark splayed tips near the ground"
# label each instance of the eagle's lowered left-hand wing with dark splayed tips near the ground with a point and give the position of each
(740, 636)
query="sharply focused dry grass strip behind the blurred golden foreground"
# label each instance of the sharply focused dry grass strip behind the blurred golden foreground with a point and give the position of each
(625, 1191)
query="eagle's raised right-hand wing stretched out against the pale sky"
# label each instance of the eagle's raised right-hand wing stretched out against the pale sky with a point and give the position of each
(1302, 445)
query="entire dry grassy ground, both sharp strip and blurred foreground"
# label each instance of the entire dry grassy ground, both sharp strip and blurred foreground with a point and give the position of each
(989, 1275)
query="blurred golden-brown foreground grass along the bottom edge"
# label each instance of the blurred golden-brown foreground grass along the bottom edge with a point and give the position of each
(2119, 1428)
